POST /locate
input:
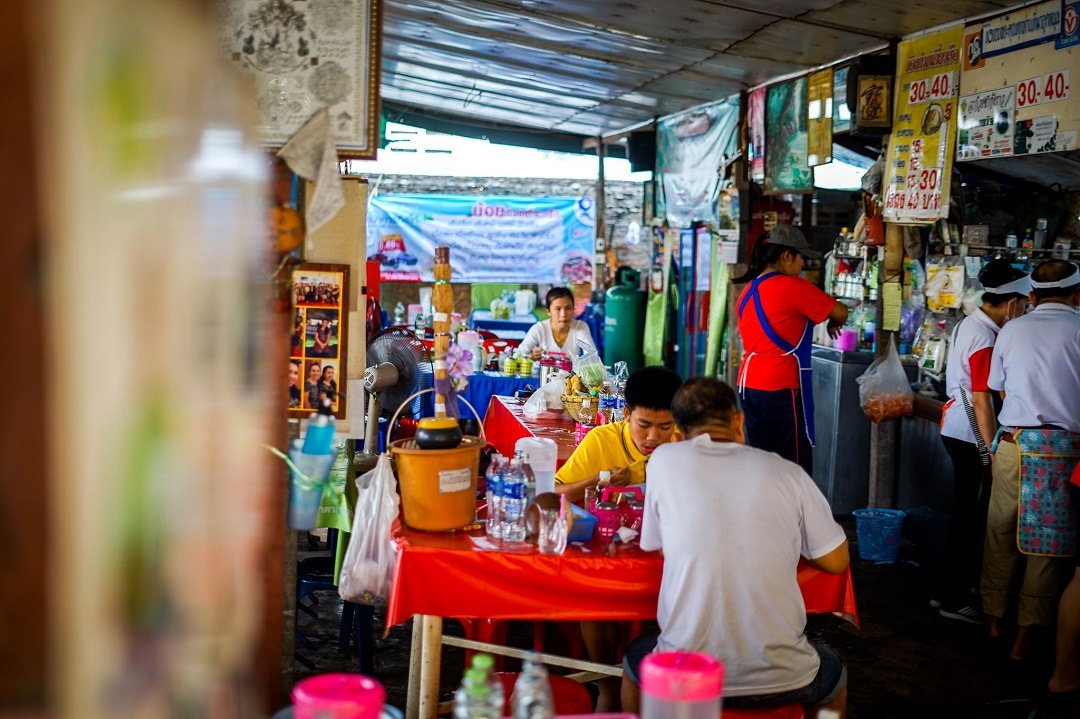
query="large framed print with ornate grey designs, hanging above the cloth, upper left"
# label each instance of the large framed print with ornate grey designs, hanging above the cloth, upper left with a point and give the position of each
(302, 57)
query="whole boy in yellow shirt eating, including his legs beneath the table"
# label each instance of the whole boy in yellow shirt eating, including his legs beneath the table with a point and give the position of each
(624, 449)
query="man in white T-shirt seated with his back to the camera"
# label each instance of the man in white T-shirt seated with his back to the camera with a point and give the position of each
(733, 522)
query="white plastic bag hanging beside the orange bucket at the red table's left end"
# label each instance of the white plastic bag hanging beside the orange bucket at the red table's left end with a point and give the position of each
(369, 566)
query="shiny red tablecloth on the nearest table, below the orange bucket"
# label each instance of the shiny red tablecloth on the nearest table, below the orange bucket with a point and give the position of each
(466, 575)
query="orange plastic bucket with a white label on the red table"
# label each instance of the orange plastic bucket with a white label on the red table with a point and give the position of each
(438, 486)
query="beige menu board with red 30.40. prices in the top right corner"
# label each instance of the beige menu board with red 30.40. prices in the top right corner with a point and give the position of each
(1018, 67)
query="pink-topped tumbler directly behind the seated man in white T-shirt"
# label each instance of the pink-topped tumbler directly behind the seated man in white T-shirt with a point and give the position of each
(681, 686)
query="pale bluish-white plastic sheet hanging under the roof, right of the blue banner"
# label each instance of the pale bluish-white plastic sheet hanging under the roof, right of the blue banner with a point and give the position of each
(691, 148)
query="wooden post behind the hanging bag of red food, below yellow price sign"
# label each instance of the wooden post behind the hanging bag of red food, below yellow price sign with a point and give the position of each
(885, 437)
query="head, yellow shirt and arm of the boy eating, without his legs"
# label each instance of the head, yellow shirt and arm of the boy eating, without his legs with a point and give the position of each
(624, 447)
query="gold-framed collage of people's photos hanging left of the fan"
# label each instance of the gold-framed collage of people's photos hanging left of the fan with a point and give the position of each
(318, 345)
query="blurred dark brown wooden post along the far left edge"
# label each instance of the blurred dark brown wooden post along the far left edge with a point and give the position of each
(30, 476)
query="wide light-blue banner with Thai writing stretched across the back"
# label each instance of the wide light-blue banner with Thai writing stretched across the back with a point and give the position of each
(490, 238)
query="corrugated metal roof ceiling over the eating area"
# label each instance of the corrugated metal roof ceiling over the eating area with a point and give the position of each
(599, 67)
